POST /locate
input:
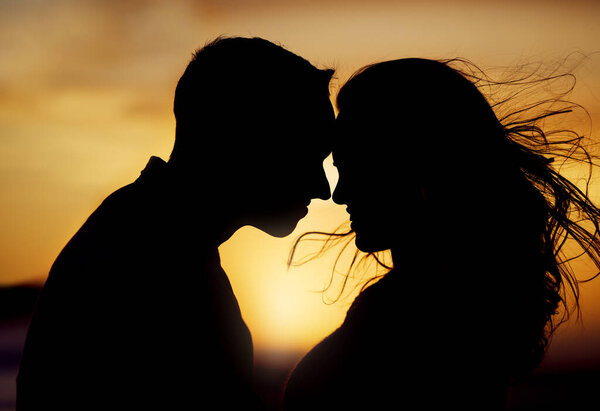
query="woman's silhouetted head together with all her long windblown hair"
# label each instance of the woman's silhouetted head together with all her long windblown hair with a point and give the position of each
(426, 165)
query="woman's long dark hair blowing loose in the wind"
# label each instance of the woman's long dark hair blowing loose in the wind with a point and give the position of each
(535, 150)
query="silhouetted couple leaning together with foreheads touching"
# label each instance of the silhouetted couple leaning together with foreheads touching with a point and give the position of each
(137, 312)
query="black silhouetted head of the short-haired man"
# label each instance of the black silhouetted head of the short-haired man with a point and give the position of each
(253, 128)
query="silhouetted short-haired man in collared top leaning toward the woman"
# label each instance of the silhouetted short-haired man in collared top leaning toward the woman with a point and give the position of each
(137, 312)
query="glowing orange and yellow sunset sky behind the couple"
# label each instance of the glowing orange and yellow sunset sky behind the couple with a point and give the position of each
(86, 90)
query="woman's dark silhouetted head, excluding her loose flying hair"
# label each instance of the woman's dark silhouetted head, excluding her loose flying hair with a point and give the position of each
(411, 133)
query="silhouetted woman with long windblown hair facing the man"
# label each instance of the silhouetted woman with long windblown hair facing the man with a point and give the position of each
(475, 214)
